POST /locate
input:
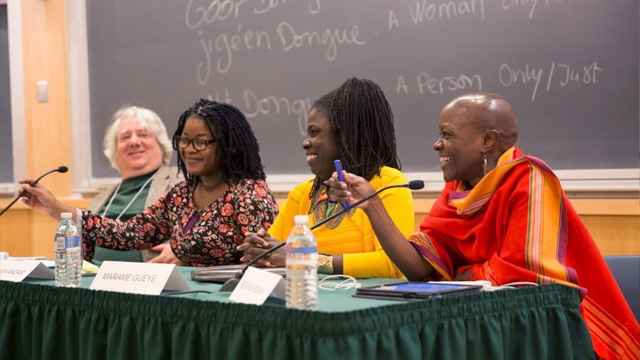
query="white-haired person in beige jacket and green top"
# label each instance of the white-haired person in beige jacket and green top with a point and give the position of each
(137, 145)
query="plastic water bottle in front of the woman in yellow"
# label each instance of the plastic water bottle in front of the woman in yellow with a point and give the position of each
(302, 266)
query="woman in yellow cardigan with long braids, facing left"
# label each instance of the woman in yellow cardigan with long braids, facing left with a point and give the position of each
(354, 124)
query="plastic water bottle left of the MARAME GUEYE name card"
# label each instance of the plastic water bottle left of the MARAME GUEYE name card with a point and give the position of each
(68, 249)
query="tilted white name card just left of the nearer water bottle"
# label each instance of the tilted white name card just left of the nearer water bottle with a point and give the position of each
(256, 285)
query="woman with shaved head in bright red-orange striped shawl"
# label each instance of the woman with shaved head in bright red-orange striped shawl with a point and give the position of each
(502, 217)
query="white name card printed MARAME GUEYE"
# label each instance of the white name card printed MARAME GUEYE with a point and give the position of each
(138, 278)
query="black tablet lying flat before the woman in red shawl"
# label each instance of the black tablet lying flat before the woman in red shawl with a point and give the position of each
(415, 290)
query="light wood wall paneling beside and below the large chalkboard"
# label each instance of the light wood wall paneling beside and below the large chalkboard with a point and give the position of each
(615, 224)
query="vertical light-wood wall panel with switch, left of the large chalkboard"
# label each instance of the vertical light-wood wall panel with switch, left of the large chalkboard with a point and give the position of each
(48, 134)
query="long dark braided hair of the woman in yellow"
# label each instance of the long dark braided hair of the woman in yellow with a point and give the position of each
(361, 123)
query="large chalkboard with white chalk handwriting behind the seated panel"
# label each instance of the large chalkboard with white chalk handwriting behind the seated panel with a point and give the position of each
(570, 68)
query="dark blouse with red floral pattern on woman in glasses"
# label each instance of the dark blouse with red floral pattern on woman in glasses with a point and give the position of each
(199, 237)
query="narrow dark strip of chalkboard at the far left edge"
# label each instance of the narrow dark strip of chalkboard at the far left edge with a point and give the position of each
(6, 143)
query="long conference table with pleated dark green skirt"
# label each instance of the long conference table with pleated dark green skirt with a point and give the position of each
(41, 321)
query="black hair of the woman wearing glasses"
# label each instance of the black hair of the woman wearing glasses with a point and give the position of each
(237, 146)
